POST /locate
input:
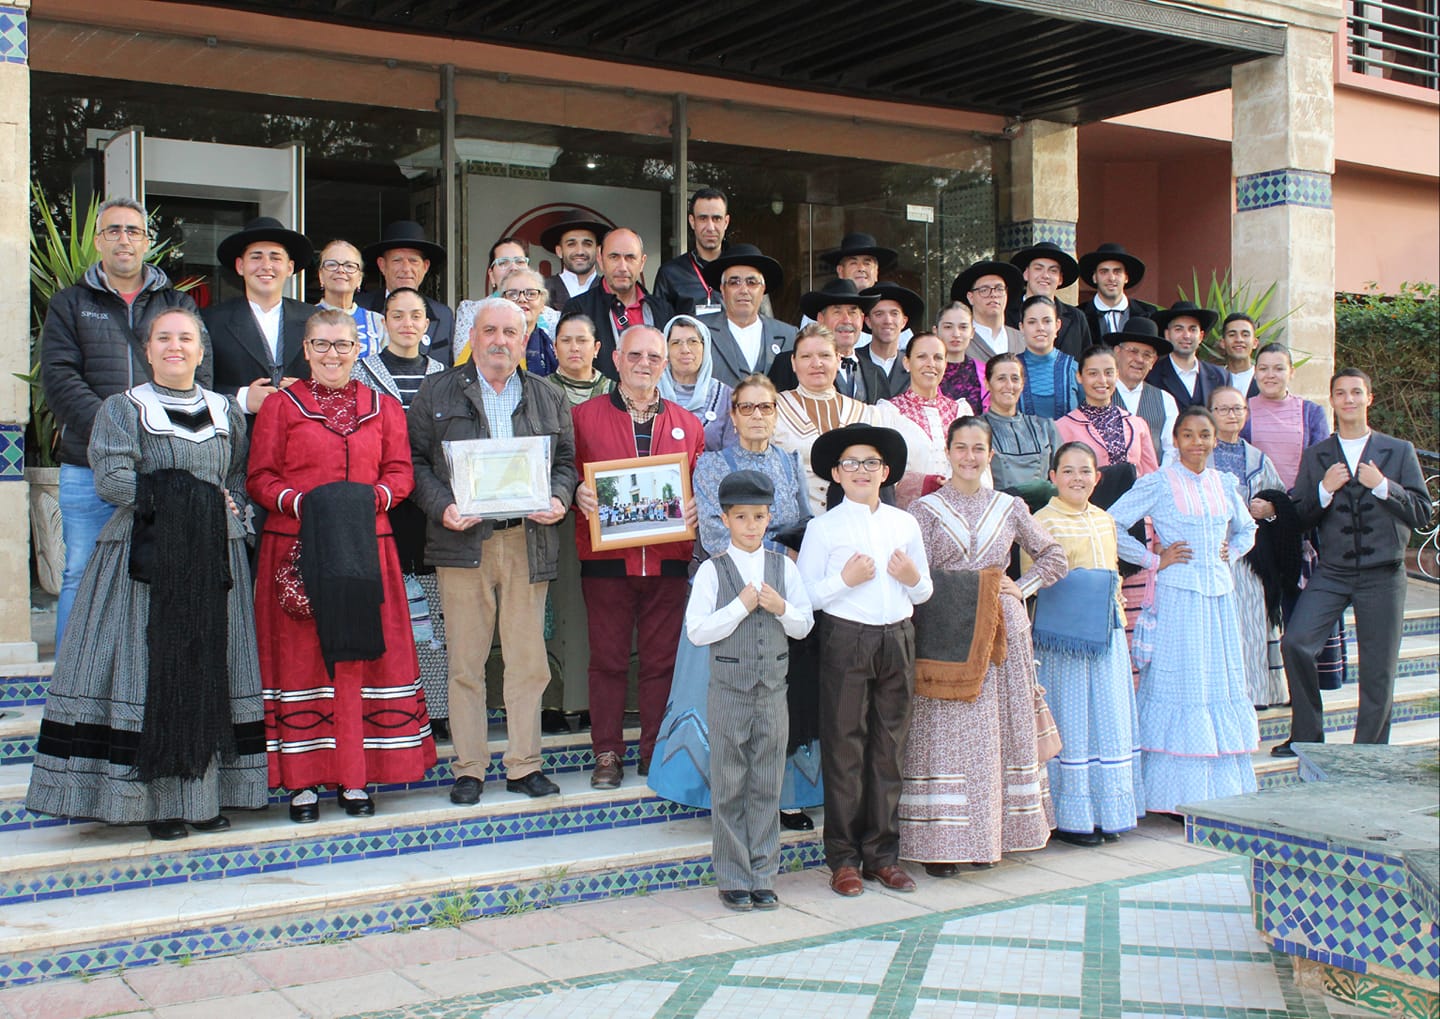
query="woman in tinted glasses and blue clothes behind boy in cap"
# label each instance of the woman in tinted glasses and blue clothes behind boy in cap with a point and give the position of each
(680, 766)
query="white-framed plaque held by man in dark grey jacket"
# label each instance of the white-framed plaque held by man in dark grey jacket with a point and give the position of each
(500, 479)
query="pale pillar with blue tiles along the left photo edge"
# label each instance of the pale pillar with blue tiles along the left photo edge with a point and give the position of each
(15, 332)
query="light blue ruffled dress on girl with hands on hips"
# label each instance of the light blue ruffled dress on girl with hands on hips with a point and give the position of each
(1197, 725)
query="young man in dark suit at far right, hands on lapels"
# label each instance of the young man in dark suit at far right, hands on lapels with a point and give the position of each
(1363, 490)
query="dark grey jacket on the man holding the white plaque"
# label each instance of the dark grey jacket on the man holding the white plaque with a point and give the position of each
(449, 408)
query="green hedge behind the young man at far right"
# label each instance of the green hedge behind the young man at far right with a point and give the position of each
(1396, 340)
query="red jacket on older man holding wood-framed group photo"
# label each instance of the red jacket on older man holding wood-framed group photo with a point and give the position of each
(606, 432)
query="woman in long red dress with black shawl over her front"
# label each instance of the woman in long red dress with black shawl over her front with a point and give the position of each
(343, 699)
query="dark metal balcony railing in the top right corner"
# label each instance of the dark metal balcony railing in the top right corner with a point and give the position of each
(1396, 40)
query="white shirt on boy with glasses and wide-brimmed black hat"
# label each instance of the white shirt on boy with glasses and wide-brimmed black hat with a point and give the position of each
(852, 527)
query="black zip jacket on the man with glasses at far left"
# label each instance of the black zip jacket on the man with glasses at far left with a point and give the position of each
(93, 346)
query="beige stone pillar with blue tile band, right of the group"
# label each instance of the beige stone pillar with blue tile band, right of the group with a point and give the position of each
(1284, 158)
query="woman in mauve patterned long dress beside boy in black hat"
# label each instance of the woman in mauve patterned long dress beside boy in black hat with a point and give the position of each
(968, 801)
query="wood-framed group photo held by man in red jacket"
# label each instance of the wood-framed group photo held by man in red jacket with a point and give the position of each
(642, 502)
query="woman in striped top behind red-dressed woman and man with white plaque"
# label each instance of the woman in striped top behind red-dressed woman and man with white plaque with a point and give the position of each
(398, 371)
